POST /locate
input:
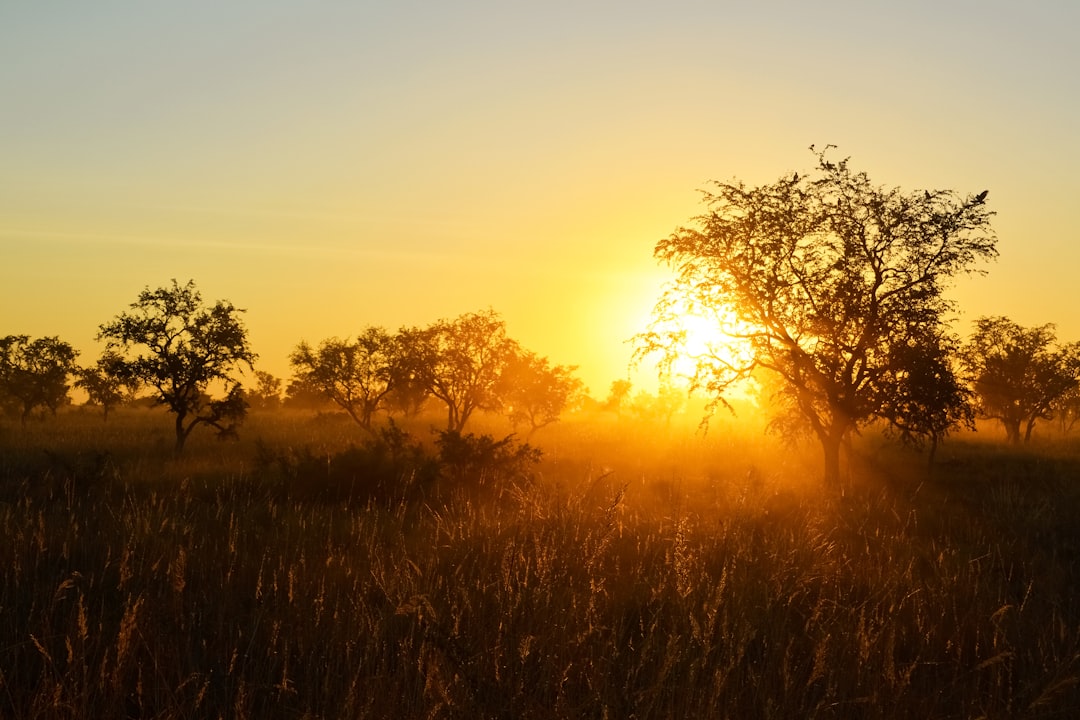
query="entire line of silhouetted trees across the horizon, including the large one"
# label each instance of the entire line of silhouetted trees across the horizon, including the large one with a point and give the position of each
(838, 286)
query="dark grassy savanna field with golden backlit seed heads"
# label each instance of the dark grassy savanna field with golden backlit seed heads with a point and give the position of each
(636, 573)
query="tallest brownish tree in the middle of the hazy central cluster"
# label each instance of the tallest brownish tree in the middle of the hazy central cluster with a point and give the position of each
(461, 362)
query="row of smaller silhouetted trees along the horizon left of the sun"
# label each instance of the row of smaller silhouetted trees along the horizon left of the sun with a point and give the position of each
(180, 349)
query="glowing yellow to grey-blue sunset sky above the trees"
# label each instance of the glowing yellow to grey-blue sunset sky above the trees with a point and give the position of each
(330, 166)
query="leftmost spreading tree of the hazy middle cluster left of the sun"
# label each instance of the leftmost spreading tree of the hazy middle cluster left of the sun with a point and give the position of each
(356, 376)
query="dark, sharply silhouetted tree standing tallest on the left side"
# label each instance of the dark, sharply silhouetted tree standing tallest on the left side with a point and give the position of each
(172, 343)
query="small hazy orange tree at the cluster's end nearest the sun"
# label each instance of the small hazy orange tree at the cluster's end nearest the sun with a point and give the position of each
(536, 392)
